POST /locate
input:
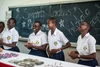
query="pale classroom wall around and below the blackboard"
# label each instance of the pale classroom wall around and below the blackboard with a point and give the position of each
(4, 4)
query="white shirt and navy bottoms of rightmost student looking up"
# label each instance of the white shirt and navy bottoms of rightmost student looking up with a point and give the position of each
(86, 46)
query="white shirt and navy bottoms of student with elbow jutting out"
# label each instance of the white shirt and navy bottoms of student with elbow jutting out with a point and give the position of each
(56, 41)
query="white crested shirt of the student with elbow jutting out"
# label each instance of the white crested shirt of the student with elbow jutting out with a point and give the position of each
(57, 39)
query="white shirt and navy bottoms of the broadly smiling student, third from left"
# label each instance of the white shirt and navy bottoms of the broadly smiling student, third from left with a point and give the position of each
(38, 40)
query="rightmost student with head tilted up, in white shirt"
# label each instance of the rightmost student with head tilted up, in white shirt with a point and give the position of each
(86, 49)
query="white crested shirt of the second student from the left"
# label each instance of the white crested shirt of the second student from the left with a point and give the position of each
(10, 36)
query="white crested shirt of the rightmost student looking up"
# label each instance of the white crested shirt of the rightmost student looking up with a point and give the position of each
(86, 45)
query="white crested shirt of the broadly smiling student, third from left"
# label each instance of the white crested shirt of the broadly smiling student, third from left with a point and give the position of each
(39, 39)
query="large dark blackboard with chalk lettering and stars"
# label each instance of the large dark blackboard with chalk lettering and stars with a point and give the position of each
(69, 16)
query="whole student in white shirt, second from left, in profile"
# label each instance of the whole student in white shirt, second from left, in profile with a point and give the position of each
(10, 36)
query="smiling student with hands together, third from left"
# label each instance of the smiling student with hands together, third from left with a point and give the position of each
(37, 41)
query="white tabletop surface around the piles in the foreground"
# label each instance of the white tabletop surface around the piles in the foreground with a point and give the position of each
(47, 62)
